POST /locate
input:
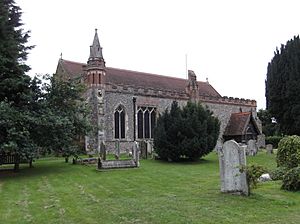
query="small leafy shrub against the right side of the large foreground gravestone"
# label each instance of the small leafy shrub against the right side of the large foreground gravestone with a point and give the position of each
(253, 172)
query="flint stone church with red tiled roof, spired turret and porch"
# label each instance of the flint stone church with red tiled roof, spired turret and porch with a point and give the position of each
(125, 104)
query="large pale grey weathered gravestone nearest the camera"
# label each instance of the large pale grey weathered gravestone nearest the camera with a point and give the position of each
(231, 158)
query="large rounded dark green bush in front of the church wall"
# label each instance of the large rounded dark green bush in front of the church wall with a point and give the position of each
(190, 132)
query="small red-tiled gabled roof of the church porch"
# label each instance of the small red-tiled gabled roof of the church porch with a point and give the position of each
(238, 124)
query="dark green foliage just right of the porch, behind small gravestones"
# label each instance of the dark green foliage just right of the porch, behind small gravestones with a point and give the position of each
(268, 128)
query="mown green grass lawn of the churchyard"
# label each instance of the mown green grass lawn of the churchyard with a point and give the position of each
(157, 192)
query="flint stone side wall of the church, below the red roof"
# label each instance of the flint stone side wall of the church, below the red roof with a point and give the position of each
(222, 107)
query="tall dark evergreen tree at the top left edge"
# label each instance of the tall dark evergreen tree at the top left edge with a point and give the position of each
(14, 83)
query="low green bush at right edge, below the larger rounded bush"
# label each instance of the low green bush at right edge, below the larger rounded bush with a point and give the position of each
(291, 180)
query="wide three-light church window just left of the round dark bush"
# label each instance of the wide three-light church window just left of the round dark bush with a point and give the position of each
(146, 117)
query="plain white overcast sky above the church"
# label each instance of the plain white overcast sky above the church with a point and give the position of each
(230, 42)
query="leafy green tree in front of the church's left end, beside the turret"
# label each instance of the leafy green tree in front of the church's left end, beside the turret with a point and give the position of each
(64, 118)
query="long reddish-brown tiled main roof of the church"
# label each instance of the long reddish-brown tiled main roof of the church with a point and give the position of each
(118, 76)
